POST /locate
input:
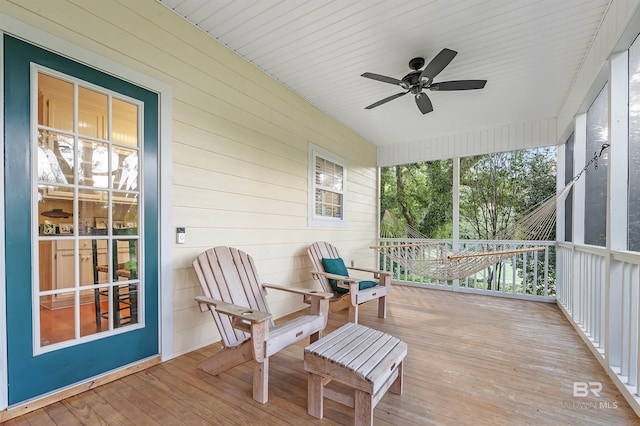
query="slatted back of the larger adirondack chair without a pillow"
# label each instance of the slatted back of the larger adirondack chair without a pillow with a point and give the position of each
(230, 275)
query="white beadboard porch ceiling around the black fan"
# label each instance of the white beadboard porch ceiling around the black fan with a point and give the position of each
(529, 51)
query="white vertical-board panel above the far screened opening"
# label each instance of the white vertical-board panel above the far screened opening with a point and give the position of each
(504, 138)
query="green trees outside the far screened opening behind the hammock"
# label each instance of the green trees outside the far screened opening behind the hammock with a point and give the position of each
(496, 190)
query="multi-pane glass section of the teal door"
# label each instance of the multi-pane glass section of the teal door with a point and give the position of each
(87, 198)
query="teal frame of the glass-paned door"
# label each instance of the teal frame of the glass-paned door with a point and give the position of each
(30, 376)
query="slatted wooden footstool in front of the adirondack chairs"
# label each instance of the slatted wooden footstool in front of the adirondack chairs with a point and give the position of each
(367, 360)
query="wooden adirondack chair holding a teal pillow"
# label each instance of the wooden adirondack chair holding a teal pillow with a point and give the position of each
(356, 294)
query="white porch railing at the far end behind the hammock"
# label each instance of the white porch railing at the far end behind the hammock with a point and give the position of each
(525, 275)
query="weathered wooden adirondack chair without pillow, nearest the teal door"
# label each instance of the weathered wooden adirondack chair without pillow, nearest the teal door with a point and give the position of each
(236, 298)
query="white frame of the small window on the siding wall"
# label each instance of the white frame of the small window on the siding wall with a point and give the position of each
(314, 219)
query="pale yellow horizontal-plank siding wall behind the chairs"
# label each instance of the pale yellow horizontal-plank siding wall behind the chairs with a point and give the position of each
(239, 151)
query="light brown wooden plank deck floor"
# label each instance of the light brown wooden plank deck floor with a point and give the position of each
(473, 360)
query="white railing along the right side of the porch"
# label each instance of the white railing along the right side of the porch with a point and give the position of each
(603, 303)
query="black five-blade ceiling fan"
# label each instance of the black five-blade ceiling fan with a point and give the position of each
(417, 81)
